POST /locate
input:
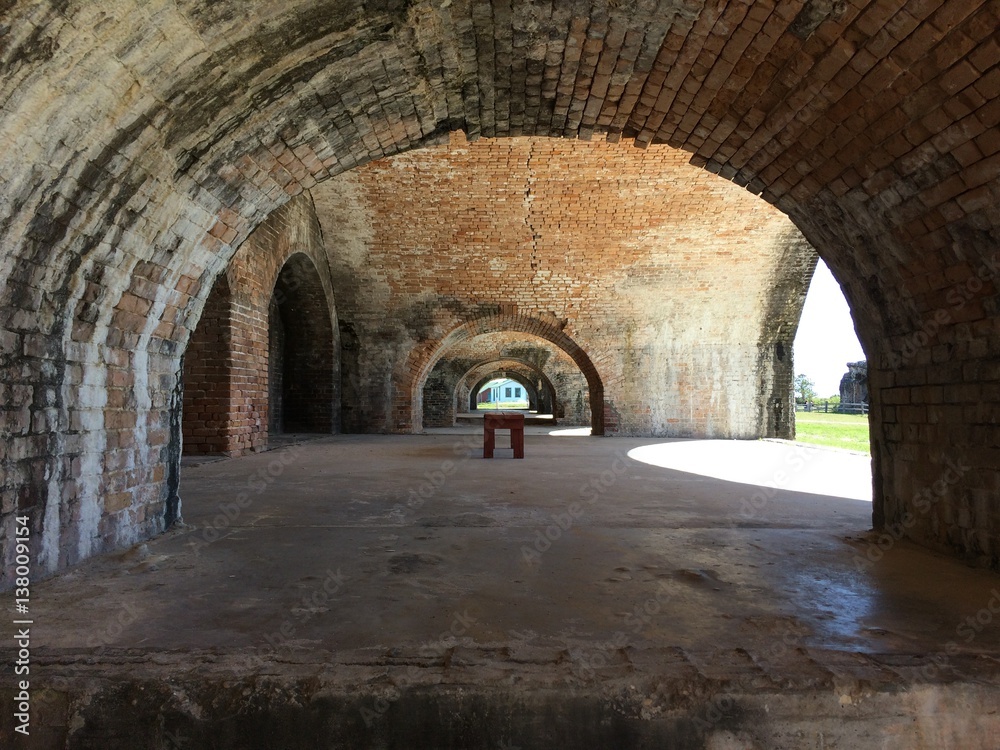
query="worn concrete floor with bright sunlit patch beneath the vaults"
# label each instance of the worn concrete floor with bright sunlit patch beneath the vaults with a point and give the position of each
(385, 564)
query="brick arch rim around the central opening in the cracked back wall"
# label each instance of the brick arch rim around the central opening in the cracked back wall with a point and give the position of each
(423, 358)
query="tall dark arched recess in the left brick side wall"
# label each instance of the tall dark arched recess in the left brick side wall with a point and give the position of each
(300, 352)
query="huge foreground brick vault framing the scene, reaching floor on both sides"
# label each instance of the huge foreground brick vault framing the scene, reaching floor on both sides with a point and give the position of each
(143, 141)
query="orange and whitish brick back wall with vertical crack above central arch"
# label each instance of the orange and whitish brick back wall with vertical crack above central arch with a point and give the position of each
(632, 253)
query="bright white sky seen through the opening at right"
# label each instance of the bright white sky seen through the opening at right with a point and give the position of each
(826, 341)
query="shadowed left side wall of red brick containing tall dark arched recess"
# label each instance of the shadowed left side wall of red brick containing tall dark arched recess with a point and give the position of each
(264, 355)
